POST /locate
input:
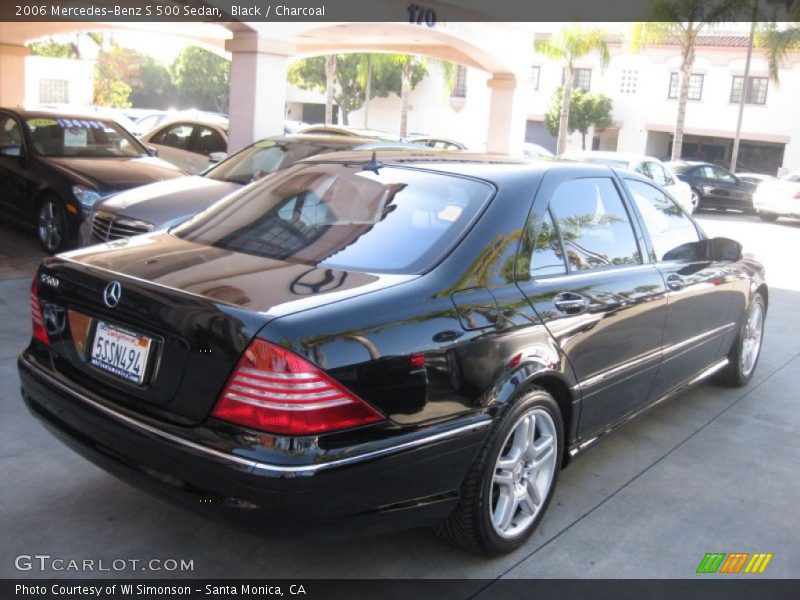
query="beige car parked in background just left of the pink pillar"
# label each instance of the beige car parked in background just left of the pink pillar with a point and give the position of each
(190, 144)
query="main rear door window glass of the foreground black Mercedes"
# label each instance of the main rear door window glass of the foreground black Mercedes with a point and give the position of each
(595, 227)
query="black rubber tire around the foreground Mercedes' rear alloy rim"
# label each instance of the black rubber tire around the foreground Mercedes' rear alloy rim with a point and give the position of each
(470, 526)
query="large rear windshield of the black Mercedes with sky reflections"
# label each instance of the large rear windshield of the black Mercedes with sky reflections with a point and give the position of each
(344, 217)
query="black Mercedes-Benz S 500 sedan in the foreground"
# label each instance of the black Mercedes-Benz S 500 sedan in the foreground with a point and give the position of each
(365, 343)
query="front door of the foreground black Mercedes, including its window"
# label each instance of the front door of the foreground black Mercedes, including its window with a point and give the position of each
(700, 296)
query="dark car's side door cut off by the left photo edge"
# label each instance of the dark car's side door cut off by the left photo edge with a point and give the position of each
(13, 169)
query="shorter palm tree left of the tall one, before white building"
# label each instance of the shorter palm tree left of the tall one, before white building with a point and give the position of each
(567, 46)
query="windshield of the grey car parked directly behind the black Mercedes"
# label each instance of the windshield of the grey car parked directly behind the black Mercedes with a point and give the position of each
(262, 158)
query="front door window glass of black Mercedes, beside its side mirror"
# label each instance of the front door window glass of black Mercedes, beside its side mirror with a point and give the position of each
(672, 233)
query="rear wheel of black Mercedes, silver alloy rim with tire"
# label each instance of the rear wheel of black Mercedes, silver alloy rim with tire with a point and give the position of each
(509, 487)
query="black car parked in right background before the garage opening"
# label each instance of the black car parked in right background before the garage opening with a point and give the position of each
(714, 187)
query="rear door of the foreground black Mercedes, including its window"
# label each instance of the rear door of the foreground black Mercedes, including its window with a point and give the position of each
(603, 304)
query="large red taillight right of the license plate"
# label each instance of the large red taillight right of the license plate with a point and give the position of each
(276, 391)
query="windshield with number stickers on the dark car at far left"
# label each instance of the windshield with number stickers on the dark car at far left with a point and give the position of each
(69, 136)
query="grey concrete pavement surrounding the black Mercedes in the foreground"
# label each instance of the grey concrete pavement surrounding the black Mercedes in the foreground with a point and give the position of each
(712, 471)
